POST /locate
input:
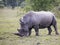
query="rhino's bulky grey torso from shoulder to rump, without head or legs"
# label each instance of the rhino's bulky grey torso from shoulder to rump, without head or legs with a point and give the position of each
(38, 18)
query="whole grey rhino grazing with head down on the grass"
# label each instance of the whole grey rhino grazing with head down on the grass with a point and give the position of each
(37, 20)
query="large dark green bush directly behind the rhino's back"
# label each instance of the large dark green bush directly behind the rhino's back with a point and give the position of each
(38, 5)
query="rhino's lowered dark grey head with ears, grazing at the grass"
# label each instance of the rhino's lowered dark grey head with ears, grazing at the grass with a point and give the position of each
(24, 29)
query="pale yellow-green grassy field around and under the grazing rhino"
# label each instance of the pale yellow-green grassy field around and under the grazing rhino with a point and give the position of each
(9, 22)
